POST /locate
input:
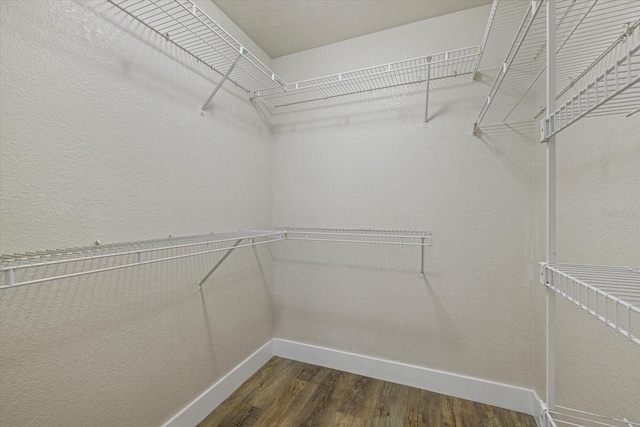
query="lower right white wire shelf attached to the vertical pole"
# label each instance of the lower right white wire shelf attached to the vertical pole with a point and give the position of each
(611, 294)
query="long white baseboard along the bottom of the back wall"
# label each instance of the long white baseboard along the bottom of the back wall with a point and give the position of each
(483, 391)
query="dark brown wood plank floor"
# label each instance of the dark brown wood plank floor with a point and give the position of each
(288, 393)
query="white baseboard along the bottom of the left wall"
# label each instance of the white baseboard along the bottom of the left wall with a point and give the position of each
(197, 410)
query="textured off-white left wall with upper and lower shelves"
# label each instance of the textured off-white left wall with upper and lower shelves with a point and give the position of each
(102, 139)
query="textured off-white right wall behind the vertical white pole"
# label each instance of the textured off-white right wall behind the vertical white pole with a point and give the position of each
(598, 222)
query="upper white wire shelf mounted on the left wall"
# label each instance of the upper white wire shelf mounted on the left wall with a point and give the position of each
(188, 27)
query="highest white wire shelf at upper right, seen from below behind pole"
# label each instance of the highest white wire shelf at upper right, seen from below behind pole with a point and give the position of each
(587, 31)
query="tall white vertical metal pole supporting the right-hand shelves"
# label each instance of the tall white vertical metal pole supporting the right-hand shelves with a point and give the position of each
(551, 205)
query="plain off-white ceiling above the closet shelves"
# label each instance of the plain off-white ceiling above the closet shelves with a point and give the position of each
(282, 27)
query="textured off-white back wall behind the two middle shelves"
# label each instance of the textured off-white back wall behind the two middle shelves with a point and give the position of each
(369, 162)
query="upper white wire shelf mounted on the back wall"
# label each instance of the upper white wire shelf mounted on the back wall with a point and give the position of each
(417, 70)
